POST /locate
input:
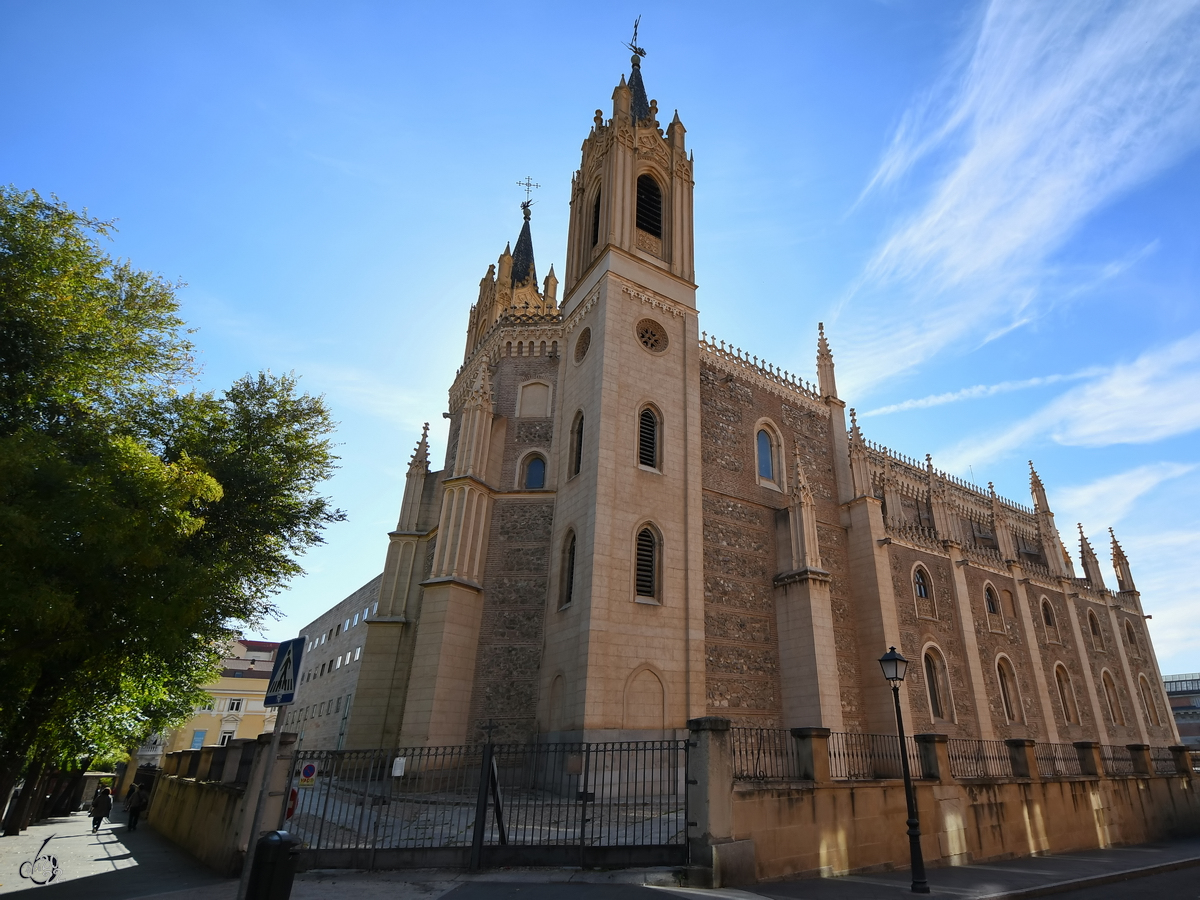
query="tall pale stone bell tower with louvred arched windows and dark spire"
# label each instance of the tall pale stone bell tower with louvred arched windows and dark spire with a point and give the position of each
(625, 632)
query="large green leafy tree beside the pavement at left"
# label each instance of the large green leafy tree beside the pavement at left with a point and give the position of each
(141, 524)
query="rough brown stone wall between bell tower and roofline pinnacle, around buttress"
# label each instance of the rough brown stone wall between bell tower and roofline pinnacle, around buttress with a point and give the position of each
(741, 635)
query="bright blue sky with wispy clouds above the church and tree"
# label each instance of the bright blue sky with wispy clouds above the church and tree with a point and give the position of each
(991, 206)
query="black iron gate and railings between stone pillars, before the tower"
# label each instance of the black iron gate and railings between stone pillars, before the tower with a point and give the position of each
(494, 805)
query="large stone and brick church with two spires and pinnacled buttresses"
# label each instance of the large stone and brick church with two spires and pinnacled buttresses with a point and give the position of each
(638, 525)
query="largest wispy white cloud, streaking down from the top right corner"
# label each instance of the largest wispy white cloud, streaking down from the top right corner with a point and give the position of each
(1052, 112)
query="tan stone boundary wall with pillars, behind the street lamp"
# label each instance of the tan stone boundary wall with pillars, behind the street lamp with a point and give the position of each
(751, 832)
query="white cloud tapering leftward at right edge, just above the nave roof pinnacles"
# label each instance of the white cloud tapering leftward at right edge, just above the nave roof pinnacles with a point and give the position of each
(1156, 397)
